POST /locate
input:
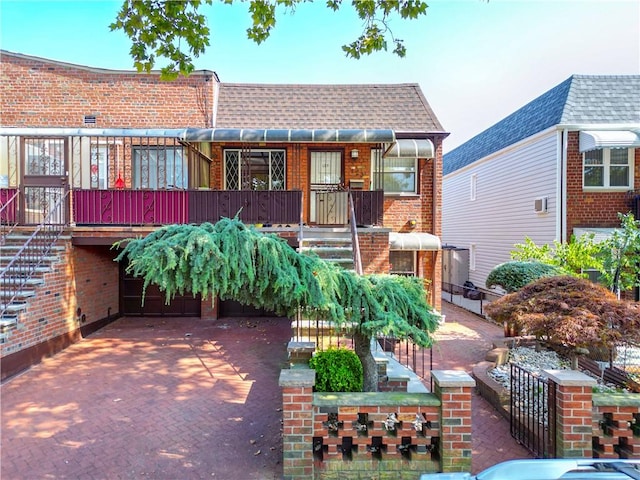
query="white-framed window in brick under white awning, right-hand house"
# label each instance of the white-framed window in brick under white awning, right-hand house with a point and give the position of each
(608, 168)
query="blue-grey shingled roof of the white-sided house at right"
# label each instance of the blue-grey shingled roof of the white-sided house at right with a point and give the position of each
(581, 99)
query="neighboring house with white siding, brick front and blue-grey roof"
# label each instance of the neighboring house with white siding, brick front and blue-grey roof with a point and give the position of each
(566, 163)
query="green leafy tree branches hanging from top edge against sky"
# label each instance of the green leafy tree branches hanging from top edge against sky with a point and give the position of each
(178, 32)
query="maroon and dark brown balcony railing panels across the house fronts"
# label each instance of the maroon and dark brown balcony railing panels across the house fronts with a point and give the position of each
(163, 207)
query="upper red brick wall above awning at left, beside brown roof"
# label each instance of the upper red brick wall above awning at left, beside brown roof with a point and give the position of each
(48, 94)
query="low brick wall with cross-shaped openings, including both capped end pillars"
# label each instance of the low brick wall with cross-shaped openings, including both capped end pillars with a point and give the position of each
(395, 435)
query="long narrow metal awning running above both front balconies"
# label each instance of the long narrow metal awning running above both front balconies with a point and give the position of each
(263, 135)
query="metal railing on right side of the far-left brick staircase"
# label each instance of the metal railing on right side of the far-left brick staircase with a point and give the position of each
(23, 266)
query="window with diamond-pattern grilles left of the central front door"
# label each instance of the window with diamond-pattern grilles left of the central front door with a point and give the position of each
(254, 170)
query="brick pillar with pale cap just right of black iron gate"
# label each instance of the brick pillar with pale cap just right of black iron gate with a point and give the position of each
(574, 413)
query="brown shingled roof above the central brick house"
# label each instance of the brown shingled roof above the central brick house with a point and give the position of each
(400, 107)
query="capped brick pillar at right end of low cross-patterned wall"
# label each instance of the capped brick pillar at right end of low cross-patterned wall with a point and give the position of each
(453, 388)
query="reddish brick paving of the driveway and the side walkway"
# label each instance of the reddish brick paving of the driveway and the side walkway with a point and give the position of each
(187, 399)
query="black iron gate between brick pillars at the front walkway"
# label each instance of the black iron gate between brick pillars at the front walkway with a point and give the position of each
(533, 412)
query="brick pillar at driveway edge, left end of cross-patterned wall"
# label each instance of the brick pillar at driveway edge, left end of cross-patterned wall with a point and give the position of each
(297, 423)
